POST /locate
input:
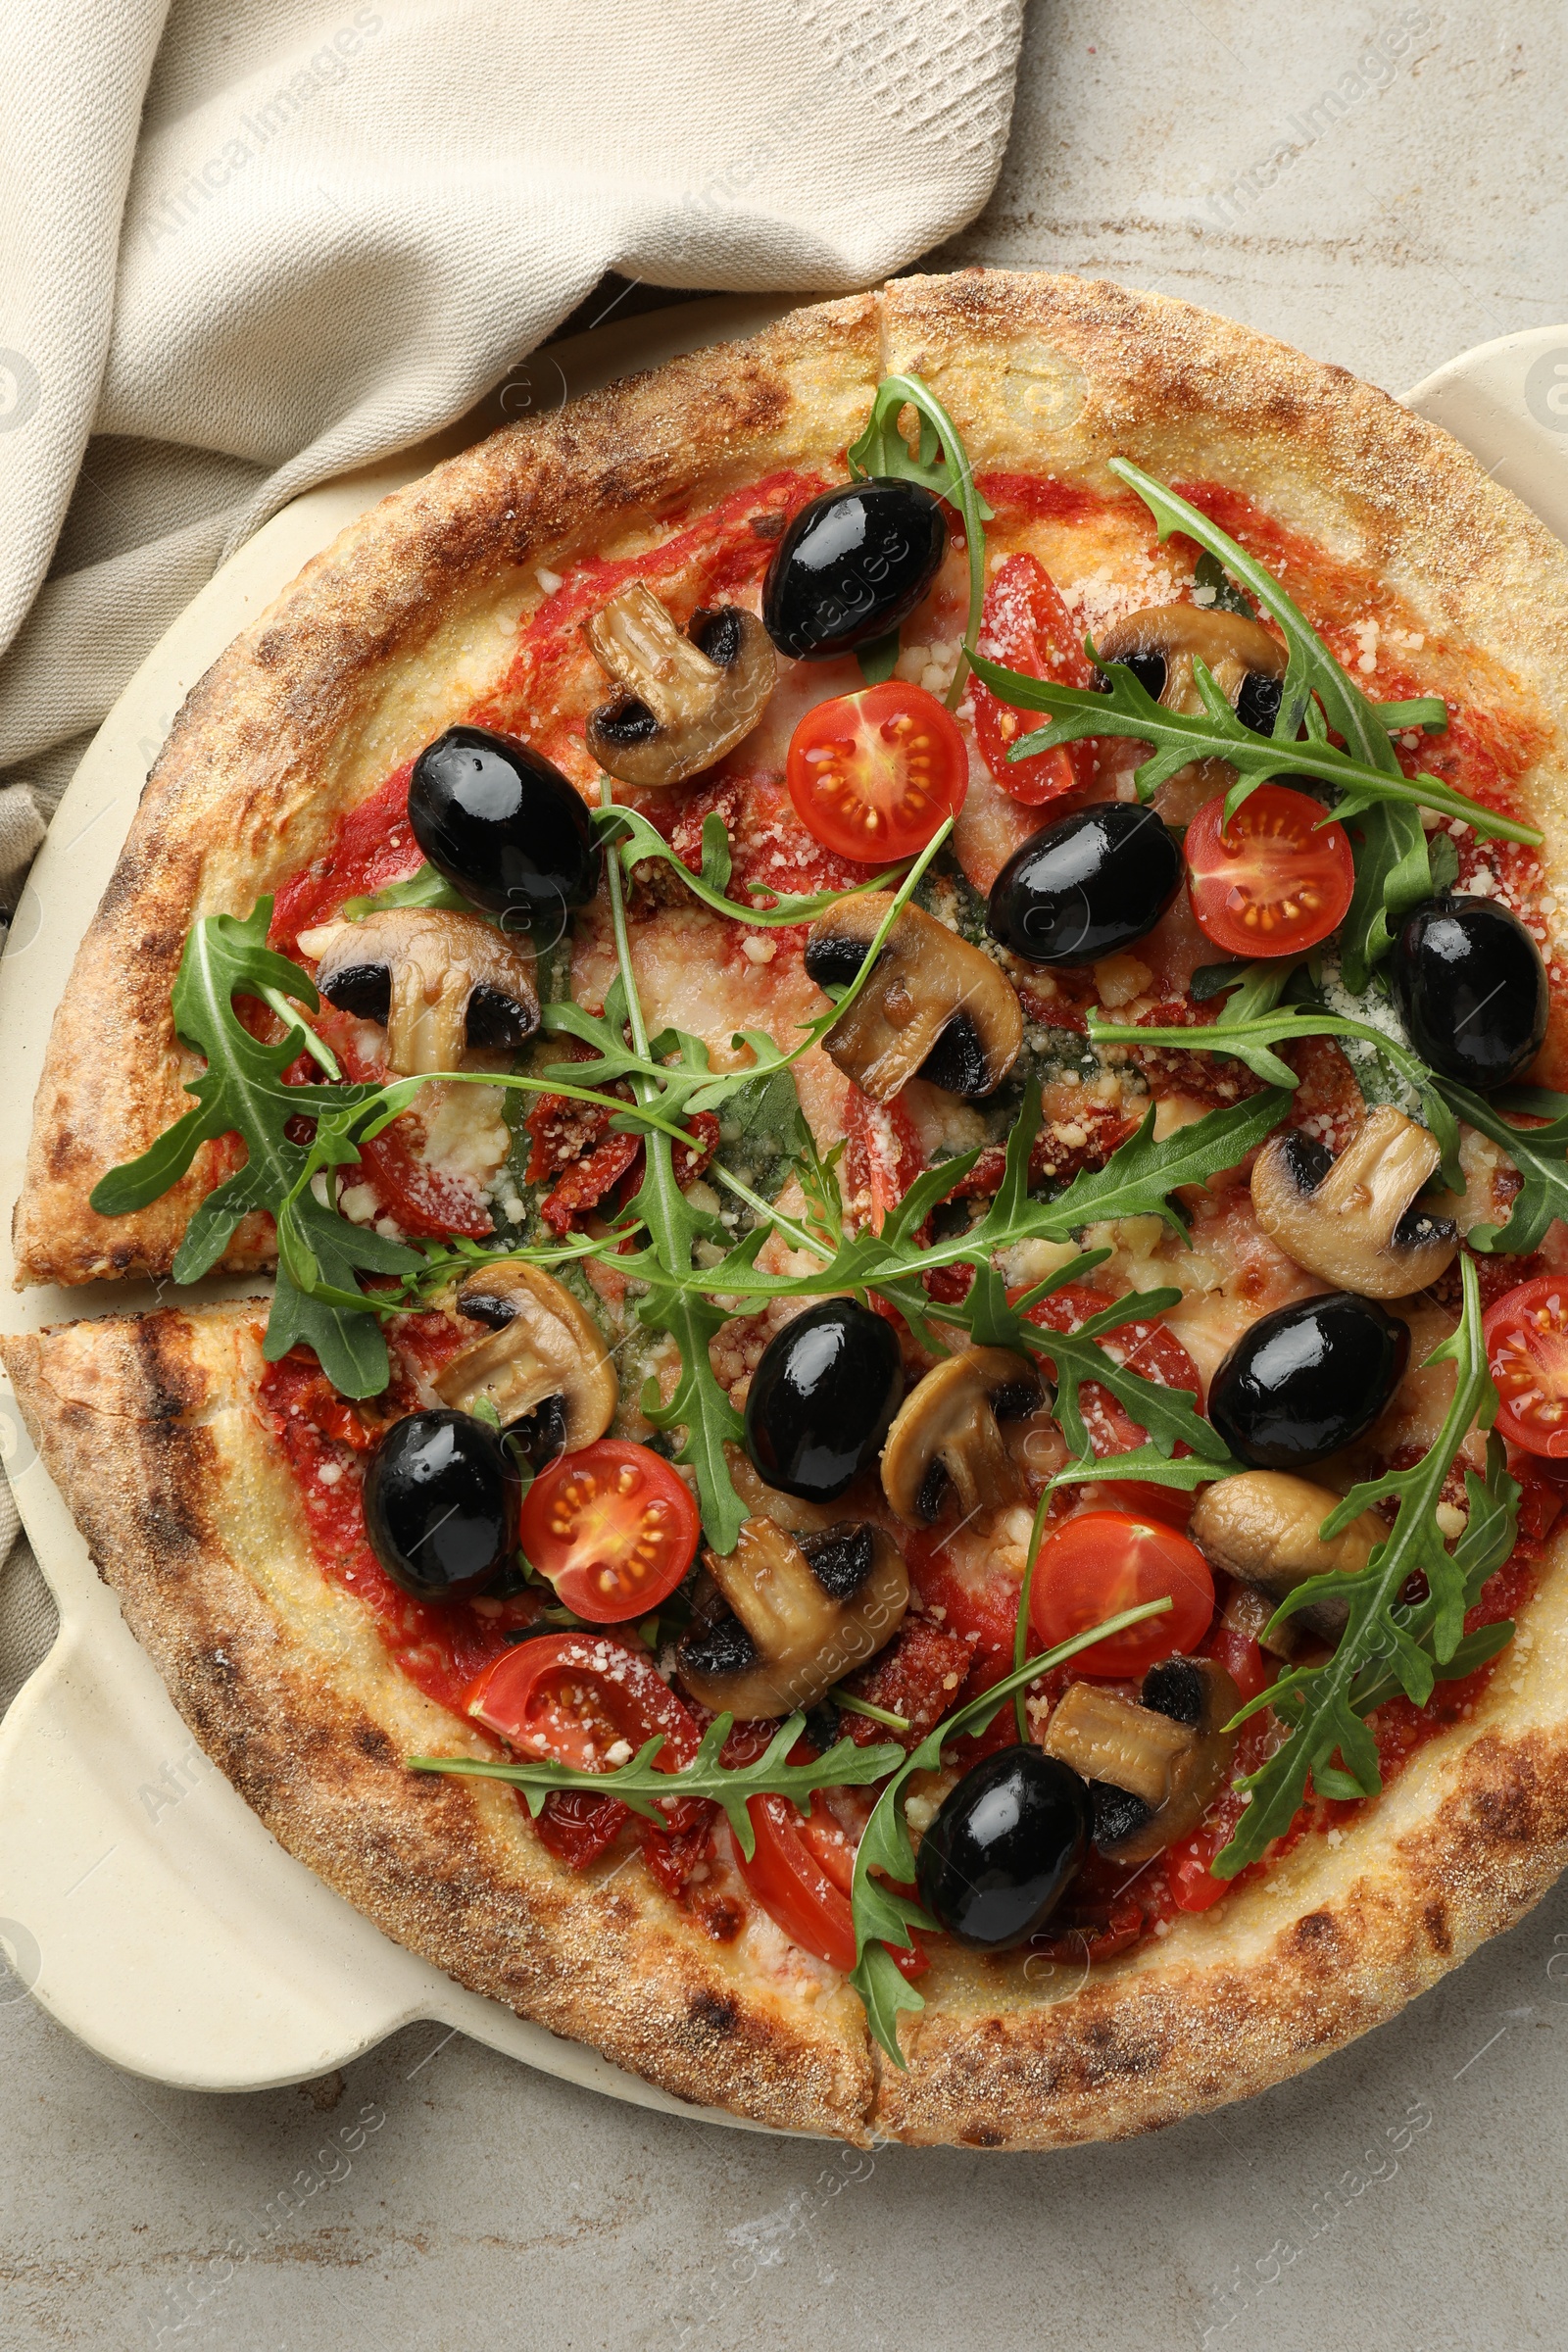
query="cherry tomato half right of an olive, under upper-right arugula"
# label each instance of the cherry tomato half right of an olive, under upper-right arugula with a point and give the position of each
(1275, 881)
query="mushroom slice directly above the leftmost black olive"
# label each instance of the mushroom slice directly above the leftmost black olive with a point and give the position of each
(542, 1356)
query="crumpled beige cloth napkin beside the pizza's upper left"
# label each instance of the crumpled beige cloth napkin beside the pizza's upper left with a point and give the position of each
(253, 243)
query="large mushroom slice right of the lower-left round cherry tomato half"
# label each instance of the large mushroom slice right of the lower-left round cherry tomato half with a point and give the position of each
(793, 1615)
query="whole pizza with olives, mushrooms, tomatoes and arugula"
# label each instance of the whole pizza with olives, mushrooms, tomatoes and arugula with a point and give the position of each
(880, 1022)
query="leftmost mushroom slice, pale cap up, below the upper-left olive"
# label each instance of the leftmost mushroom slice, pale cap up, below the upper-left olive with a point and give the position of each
(436, 980)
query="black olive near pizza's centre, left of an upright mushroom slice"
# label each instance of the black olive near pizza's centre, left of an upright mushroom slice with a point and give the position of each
(824, 1398)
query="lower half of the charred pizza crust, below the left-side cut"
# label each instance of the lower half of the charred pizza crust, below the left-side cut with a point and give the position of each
(194, 1523)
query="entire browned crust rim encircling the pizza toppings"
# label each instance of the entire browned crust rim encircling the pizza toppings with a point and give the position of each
(149, 1426)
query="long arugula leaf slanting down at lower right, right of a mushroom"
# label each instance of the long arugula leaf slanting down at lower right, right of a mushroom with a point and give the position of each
(1388, 1643)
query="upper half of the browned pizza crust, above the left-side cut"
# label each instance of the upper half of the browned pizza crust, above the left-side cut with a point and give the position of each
(396, 629)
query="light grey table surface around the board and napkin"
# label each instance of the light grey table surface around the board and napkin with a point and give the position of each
(1383, 187)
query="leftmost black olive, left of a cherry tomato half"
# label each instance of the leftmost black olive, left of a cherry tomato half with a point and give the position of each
(441, 1506)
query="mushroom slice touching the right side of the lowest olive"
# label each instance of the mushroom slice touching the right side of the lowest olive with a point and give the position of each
(1155, 1768)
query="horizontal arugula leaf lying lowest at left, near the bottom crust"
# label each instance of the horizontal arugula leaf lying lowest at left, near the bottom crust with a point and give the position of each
(650, 1791)
